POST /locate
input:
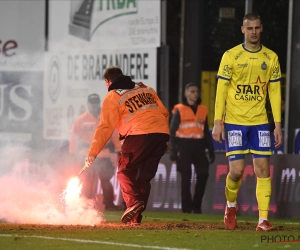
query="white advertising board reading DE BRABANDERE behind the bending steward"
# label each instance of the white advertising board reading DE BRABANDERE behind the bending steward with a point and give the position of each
(70, 76)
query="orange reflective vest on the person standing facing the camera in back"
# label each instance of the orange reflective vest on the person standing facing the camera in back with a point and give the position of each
(191, 124)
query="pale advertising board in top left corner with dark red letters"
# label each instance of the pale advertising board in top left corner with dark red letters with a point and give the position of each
(22, 39)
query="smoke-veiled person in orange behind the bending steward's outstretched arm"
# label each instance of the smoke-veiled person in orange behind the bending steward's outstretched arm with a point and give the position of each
(82, 133)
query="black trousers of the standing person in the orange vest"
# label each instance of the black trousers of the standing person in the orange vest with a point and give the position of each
(184, 166)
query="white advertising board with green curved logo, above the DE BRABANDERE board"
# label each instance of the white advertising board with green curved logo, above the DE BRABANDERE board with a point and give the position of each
(104, 24)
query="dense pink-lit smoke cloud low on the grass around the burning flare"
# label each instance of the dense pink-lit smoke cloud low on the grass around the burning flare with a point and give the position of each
(34, 191)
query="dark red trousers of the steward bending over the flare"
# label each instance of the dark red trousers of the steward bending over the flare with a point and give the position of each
(138, 163)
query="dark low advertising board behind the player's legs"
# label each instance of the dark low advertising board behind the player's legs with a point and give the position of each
(285, 198)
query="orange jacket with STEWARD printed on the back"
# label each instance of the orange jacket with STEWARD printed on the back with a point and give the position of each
(133, 111)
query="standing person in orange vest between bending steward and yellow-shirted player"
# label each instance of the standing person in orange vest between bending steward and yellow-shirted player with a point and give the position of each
(189, 140)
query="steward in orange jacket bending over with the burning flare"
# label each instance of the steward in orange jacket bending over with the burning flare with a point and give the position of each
(142, 120)
